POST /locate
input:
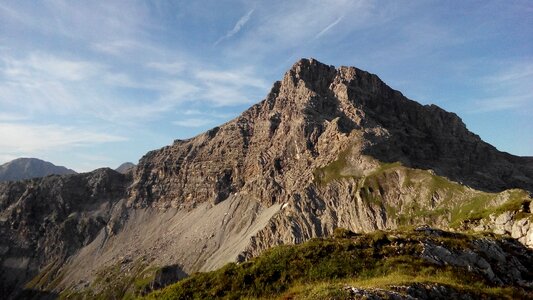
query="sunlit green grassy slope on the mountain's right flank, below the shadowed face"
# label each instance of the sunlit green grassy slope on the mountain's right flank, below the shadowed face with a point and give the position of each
(430, 197)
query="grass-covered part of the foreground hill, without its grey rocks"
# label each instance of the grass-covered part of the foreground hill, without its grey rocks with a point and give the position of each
(320, 268)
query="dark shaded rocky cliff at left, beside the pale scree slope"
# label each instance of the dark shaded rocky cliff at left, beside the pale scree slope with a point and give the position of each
(45, 221)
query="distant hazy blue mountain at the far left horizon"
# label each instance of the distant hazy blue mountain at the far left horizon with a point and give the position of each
(27, 168)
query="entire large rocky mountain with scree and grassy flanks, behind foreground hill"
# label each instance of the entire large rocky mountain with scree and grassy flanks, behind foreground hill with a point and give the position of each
(328, 148)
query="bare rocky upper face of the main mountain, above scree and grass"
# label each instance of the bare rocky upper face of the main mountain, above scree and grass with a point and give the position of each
(307, 119)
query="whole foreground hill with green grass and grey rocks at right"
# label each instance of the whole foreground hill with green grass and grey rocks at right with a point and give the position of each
(415, 264)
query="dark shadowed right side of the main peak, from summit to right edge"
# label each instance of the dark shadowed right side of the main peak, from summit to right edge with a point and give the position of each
(397, 129)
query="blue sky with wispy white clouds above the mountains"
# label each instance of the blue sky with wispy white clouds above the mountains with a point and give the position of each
(88, 84)
